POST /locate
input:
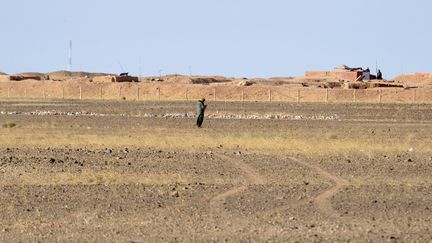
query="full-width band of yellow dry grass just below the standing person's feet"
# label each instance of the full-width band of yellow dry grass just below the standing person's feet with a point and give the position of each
(199, 140)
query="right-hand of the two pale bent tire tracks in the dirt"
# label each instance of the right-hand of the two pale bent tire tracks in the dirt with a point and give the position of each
(323, 200)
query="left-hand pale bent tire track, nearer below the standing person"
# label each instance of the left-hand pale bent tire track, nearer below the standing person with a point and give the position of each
(252, 178)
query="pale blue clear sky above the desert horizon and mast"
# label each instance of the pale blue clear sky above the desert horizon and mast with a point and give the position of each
(242, 38)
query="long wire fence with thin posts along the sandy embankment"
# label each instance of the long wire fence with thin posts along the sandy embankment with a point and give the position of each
(156, 91)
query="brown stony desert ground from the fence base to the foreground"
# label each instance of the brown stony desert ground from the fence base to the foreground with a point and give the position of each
(140, 171)
